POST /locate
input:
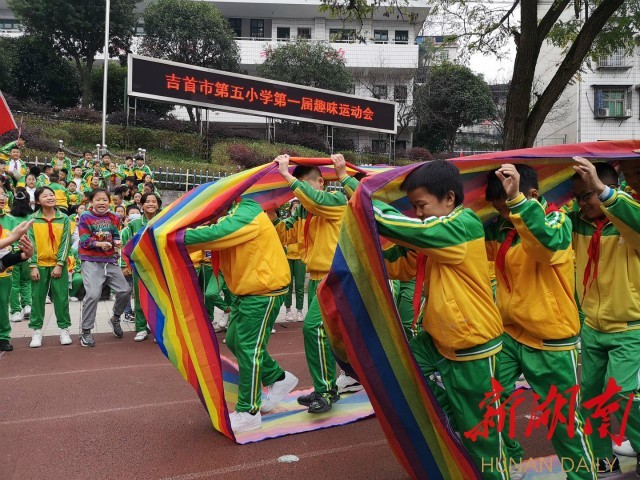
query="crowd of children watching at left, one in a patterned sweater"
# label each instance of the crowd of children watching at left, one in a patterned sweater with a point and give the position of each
(77, 230)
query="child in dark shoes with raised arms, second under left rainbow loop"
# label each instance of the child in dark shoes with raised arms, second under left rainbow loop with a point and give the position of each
(322, 226)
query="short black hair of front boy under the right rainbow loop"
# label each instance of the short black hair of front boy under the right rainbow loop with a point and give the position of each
(438, 177)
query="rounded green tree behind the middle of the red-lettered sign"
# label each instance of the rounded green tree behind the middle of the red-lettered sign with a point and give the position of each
(307, 63)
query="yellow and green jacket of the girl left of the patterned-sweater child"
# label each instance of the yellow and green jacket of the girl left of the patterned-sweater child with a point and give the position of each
(50, 239)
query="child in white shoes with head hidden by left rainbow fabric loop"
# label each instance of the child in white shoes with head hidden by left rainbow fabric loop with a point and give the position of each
(257, 273)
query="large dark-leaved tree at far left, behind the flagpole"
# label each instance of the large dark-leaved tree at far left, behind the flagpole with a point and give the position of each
(75, 29)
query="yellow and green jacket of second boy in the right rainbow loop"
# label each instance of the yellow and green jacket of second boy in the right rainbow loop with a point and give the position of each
(536, 302)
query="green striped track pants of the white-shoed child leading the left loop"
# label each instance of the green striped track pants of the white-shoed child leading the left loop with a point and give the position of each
(252, 318)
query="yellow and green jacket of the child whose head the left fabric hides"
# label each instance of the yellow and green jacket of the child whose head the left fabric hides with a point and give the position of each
(251, 256)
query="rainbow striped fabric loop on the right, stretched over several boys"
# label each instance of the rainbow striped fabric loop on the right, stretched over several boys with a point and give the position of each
(362, 321)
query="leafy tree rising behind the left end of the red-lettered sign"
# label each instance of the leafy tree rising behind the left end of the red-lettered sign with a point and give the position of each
(190, 32)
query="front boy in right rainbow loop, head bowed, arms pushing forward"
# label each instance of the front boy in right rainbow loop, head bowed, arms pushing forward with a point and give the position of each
(462, 329)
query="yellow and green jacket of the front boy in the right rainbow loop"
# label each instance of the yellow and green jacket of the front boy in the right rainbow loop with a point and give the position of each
(460, 316)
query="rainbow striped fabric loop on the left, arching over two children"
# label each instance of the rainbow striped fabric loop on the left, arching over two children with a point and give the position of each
(170, 294)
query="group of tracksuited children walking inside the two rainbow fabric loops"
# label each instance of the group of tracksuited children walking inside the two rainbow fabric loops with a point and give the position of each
(471, 334)
